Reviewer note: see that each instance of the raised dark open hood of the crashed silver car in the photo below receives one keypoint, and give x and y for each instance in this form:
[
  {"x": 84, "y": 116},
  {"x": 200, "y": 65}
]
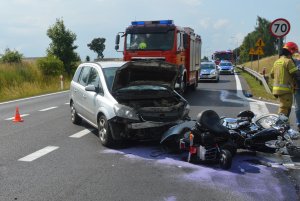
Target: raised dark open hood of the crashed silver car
[{"x": 145, "y": 73}]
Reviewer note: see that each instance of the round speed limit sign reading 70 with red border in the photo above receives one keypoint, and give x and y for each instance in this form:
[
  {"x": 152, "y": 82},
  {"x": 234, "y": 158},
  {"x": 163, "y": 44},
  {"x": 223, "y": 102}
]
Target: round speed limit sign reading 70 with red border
[{"x": 280, "y": 27}]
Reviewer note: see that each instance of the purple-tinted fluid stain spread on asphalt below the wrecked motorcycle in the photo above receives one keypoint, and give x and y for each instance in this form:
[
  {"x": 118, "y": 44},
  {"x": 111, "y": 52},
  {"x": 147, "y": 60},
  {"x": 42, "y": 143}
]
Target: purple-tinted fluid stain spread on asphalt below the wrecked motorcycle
[{"x": 248, "y": 175}]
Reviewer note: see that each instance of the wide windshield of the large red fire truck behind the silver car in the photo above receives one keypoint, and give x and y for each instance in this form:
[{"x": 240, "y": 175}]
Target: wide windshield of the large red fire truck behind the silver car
[{"x": 150, "y": 41}]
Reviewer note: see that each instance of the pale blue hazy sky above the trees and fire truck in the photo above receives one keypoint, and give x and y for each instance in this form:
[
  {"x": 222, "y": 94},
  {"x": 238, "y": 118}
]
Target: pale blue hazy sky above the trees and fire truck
[{"x": 222, "y": 24}]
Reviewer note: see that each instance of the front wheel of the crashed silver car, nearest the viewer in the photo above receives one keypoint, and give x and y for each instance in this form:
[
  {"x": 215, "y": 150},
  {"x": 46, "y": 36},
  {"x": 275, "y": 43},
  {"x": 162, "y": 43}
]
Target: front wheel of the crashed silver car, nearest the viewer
[{"x": 104, "y": 132}]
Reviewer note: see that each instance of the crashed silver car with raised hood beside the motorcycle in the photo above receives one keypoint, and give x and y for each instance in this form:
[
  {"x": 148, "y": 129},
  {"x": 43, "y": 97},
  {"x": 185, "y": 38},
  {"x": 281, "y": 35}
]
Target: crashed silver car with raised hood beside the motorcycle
[{"x": 127, "y": 100}]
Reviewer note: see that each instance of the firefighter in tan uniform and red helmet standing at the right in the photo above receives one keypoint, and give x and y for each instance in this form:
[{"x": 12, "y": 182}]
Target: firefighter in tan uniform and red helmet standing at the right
[{"x": 283, "y": 73}]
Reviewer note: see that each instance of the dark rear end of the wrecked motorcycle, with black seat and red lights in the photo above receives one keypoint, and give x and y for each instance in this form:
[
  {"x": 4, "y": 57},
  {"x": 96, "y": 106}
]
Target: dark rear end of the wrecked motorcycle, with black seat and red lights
[{"x": 205, "y": 139}]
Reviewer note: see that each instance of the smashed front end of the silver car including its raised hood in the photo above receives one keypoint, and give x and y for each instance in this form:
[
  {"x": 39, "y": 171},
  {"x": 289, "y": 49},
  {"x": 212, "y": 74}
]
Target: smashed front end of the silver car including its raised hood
[{"x": 147, "y": 105}]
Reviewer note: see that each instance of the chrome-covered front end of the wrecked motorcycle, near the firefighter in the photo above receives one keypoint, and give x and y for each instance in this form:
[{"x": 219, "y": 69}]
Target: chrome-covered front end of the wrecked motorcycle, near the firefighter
[{"x": 265, "y": 133}]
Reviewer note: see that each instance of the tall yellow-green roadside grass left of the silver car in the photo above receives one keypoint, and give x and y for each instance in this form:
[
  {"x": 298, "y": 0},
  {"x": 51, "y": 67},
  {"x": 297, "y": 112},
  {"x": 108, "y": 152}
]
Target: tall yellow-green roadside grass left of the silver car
[{"x": 25, "y": 80}]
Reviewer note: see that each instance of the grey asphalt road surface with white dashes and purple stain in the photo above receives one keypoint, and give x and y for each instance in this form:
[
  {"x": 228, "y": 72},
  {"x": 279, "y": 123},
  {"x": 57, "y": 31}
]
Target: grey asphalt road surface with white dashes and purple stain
[{"x": 48, "y": 158}]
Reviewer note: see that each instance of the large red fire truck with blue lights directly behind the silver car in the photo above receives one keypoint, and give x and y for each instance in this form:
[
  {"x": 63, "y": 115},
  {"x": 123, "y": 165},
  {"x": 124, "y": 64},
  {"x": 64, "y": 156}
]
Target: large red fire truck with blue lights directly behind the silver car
[{"x": 163, "y": 40}]
